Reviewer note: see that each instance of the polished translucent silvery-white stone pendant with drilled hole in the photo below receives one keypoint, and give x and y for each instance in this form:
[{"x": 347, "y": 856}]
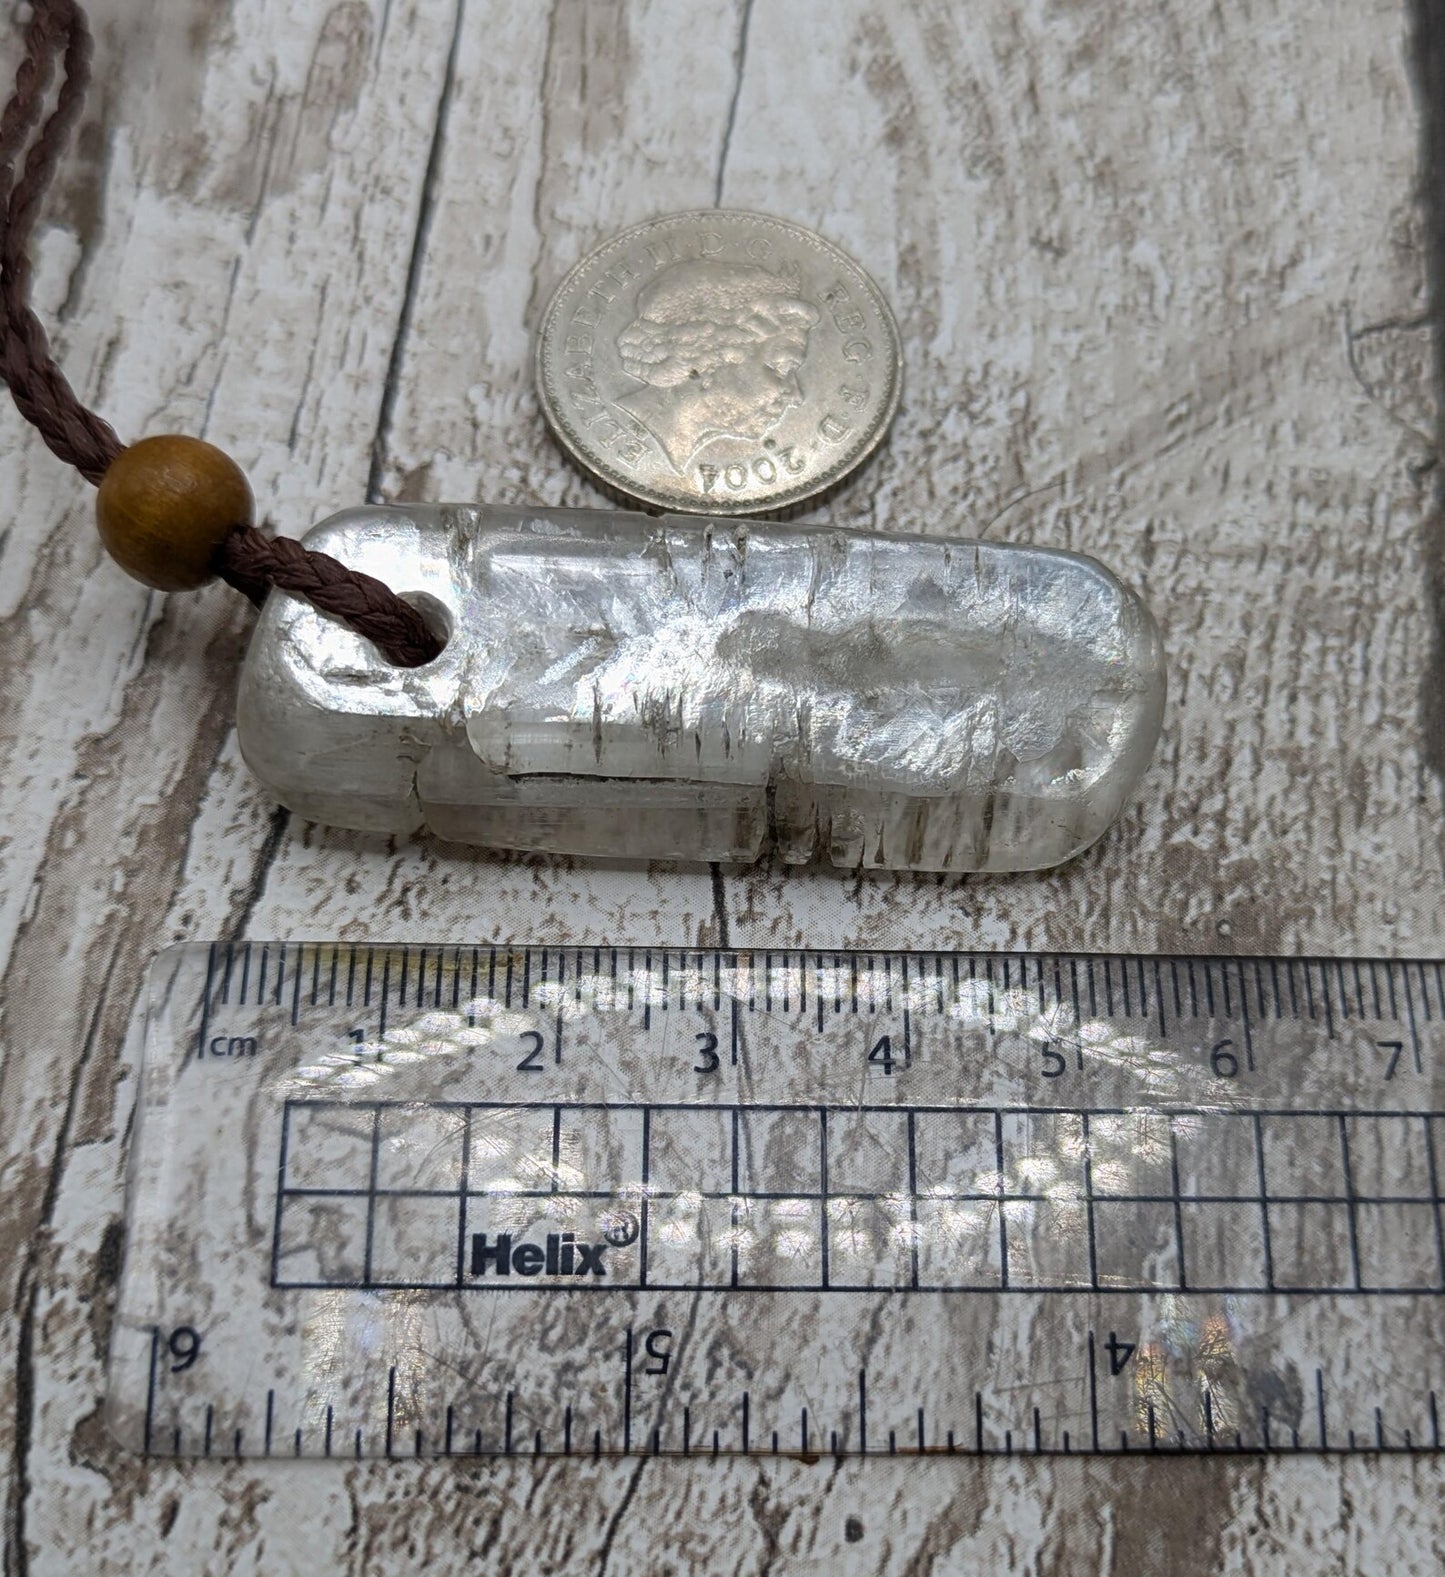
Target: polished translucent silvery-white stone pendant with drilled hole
[{"x": 625, "y": 687}]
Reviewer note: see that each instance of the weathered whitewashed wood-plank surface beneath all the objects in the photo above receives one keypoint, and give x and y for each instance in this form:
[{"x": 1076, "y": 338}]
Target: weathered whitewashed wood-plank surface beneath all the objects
[{"x": 1160, "y": 277}]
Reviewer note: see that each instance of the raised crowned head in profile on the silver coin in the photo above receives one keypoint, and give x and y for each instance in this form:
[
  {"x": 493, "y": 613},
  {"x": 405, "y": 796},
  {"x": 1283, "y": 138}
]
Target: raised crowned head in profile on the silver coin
[{"x": 715, "y": 349}]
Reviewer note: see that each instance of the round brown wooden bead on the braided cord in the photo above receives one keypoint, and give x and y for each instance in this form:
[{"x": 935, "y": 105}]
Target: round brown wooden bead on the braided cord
[{"x": 166, "y": 505}]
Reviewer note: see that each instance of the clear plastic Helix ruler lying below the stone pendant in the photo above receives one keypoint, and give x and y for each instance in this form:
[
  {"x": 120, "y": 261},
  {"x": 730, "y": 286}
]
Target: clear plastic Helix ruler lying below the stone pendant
[{"x": 395, "y": 1202}]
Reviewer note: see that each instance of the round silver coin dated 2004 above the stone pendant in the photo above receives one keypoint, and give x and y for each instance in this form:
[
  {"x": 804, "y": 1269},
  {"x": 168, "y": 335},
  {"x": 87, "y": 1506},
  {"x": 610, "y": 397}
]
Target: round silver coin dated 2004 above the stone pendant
[{"x": 719, "y": 363}]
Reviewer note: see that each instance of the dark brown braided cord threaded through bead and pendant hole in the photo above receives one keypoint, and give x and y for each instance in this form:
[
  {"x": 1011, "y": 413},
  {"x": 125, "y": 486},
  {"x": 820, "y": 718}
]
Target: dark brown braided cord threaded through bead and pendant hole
[{"x": 248, "y": 561}]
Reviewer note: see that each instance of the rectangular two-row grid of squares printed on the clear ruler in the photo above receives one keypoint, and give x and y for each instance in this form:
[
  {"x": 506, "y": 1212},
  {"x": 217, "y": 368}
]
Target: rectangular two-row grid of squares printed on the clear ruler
[{"x": 387, "y": 1195}]
